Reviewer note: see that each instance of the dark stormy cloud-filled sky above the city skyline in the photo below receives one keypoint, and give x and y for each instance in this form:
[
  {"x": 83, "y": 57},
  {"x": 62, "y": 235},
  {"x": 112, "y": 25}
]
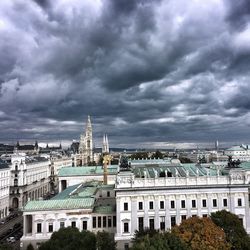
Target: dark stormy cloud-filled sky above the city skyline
[{"x": 149, "y": 73}]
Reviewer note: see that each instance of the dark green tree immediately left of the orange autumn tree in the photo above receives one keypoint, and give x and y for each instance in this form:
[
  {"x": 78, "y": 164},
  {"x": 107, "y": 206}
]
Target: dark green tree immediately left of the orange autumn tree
[{"x": 155, "y": 240}]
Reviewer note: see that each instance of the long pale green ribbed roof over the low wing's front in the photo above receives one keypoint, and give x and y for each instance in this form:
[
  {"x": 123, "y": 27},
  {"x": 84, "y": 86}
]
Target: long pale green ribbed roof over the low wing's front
[{"x": 80, "y": 203}]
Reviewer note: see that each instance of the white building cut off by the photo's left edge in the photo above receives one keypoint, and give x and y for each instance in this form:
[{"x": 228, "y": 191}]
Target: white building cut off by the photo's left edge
[{"x": 4, "y": 189}]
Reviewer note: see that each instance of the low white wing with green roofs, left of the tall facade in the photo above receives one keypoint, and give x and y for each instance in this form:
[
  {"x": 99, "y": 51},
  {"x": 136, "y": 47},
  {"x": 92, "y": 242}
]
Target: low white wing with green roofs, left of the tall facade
[{"x": 89, "y": 206}]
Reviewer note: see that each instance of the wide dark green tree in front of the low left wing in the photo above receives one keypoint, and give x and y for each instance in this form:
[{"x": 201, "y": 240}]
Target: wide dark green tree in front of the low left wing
[{"x": 70, "y": 239}]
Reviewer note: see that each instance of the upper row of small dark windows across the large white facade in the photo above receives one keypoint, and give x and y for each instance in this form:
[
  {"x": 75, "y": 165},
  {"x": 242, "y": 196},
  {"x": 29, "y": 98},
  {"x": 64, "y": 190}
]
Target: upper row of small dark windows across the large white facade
[{"x": 183, "y": 204}]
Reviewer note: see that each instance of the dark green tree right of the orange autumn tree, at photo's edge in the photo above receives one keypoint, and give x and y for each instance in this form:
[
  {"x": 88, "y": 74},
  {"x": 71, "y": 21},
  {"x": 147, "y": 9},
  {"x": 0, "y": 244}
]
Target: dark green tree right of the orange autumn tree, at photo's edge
[{"x": 236, "y": 235}]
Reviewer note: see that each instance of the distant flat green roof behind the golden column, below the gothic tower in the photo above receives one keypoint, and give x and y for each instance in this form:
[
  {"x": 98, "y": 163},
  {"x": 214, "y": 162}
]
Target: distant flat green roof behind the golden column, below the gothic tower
[{"x": 88, "y": 170}]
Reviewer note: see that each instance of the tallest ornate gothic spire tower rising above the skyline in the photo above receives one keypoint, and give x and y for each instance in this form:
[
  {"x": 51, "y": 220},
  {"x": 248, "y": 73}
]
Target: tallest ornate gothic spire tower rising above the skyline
[{"x": 86, "y": 144}]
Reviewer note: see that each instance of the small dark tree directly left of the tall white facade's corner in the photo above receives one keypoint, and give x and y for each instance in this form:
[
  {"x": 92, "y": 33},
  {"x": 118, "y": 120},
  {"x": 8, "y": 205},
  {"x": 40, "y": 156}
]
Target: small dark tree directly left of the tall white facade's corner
[{"x": 105, "y": 241}]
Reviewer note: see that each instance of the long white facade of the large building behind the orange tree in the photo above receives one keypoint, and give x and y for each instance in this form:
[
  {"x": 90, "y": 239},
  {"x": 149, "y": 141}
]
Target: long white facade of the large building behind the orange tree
[{"x": 162, "y": 202}]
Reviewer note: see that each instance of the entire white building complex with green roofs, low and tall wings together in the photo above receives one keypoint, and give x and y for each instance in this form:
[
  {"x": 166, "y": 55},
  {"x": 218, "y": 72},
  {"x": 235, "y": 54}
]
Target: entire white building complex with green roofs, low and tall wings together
[{"x": 147, "y": 194}]
